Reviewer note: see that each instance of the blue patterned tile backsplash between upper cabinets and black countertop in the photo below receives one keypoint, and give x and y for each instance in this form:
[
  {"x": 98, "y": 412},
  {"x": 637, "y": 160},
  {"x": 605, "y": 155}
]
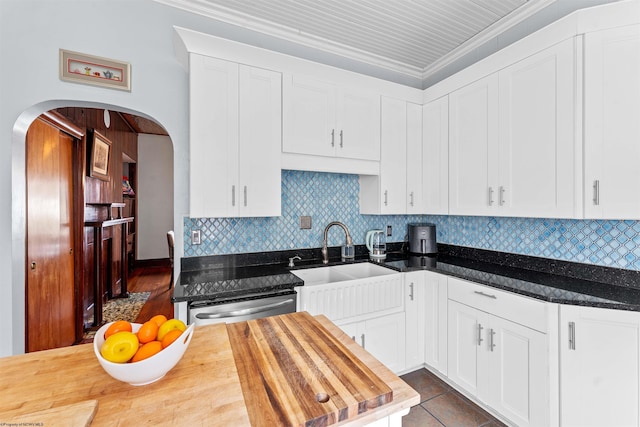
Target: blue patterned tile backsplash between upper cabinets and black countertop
[{"x": 334, "y": 197}]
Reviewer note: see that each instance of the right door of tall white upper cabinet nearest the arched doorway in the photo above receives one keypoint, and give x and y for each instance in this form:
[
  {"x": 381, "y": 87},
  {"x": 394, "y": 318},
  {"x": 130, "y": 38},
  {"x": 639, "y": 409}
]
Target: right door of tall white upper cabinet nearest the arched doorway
[{"x": 260, "y": 135}]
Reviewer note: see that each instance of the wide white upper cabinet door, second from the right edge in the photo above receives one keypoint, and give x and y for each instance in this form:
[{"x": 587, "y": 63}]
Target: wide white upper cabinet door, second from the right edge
[{"x": 537, "y": 137}]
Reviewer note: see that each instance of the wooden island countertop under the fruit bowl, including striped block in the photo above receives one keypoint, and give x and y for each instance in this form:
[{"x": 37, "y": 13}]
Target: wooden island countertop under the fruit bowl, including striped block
[{"x": 293, "y": 369}]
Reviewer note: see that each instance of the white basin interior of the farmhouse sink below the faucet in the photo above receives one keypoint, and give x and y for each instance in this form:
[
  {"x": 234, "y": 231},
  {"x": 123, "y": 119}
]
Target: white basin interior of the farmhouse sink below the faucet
[{"x": 340, "y": 273}]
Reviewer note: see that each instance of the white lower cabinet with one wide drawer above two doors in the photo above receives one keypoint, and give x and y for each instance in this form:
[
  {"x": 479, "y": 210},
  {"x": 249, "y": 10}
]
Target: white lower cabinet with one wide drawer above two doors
[{"x": 500, "y": 362}]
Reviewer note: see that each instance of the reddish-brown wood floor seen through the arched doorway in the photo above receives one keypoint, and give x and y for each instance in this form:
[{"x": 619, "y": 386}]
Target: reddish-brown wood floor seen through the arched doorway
[{"x": 156, "y": 281}]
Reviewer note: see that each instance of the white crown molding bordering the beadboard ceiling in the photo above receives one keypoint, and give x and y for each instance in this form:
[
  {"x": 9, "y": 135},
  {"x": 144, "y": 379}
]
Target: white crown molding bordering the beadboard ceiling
[{"x": 234, "y": 17}]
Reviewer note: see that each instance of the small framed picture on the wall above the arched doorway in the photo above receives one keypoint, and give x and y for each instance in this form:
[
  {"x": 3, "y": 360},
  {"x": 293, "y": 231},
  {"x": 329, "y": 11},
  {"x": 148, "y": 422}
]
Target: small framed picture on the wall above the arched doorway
[{"x": 93, "y": 70}]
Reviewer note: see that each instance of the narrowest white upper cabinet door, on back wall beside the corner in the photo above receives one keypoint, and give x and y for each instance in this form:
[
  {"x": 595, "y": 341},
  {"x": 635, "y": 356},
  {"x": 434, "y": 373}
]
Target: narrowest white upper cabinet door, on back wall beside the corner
[{"x": 414, "y": 159}]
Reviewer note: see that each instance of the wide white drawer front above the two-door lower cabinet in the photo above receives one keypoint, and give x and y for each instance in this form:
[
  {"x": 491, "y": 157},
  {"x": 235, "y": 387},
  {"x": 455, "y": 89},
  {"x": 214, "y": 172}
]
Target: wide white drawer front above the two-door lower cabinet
[{"x": 516, "y": 308}]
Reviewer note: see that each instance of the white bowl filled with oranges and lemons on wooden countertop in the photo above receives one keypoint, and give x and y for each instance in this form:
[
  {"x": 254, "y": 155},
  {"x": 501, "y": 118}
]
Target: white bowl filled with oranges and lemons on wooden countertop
[{"x": 138, "y": 355}]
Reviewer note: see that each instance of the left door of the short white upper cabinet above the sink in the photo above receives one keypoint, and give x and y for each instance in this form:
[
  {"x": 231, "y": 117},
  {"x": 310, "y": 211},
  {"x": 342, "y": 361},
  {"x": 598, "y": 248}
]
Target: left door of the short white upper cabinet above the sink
[{"x": 309, "y": 117}]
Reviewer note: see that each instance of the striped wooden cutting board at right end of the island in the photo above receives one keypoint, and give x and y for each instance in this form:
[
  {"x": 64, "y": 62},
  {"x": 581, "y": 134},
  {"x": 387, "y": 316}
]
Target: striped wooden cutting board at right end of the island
[{"x": 293, "y": 372}]
